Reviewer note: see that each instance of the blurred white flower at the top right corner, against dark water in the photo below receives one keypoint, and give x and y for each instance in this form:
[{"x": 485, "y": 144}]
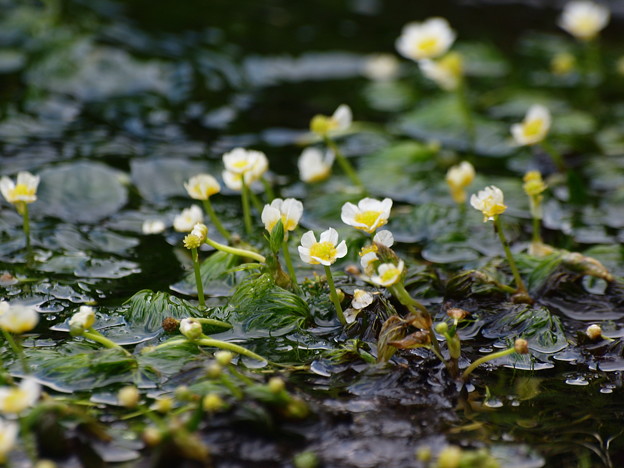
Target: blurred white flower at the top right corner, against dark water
[{"x": 584, "y": 19}]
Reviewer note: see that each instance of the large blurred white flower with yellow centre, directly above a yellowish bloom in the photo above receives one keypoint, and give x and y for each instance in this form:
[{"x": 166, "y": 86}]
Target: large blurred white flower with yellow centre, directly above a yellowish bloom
[{"x": 429, "y": 39}]
